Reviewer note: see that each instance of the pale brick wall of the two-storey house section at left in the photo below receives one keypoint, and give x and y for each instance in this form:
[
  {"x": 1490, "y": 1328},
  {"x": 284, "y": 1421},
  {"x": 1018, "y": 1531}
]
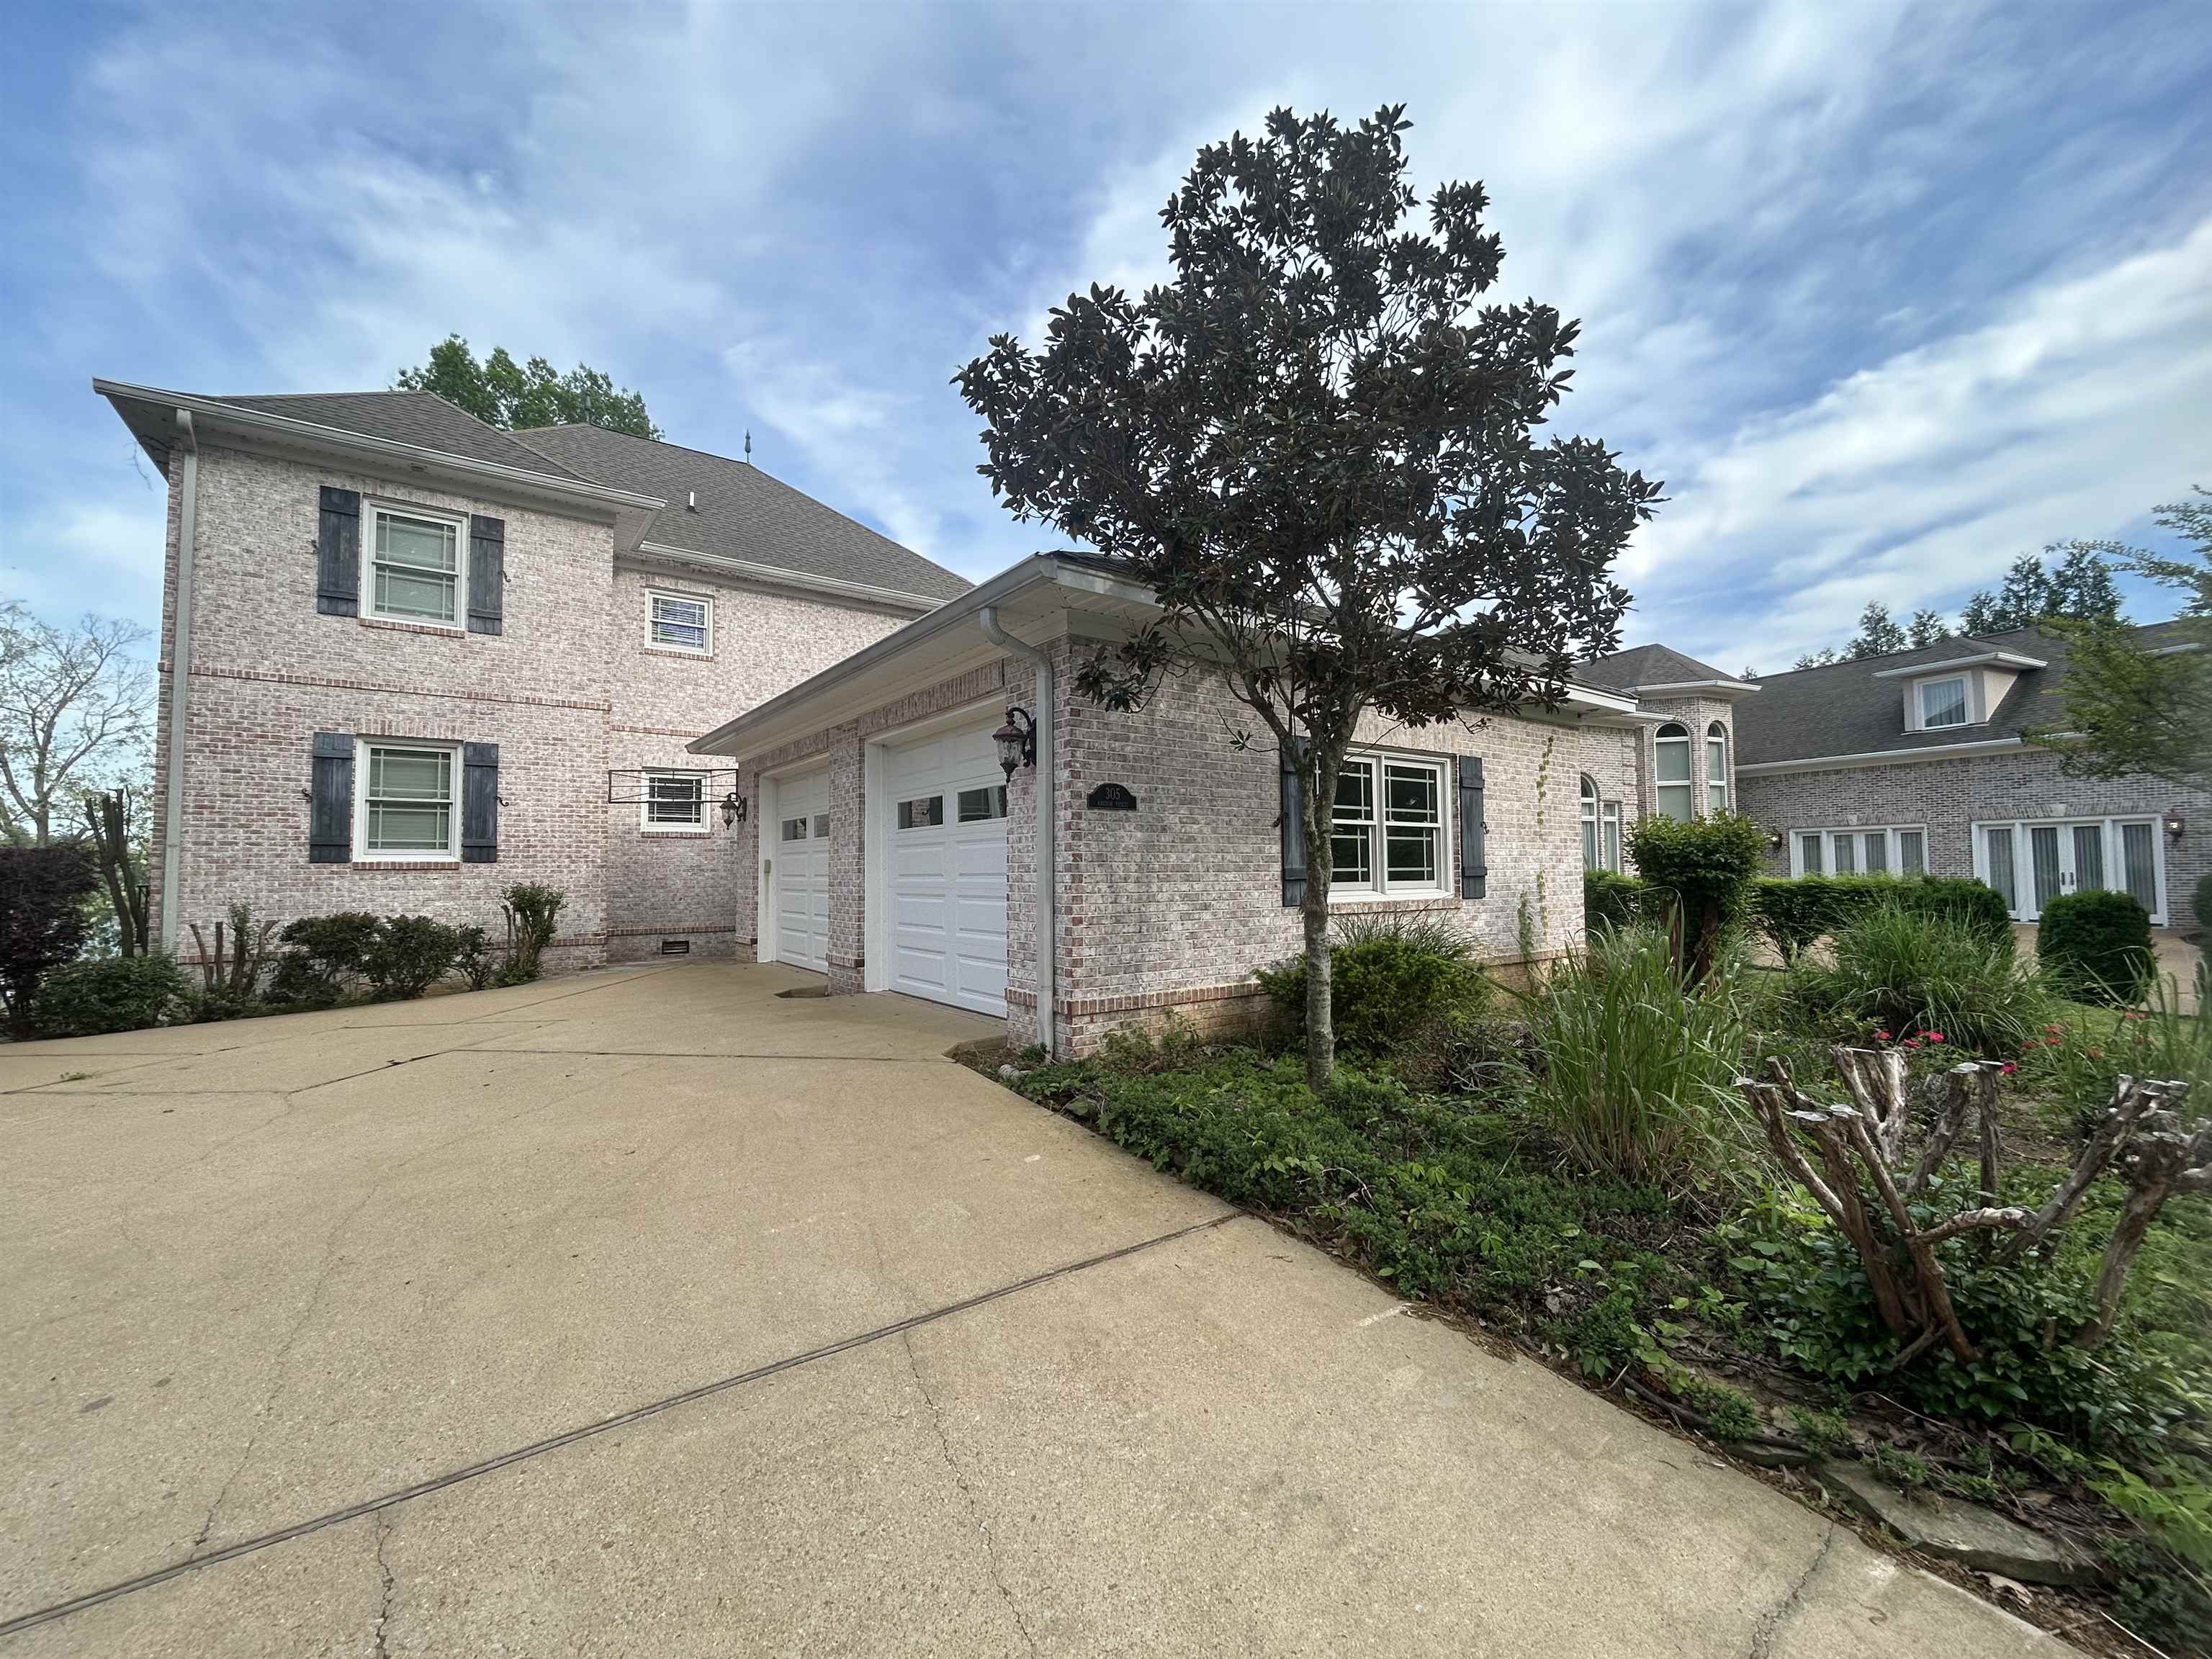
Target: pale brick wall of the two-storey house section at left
[{"x": 570, "y": 691}]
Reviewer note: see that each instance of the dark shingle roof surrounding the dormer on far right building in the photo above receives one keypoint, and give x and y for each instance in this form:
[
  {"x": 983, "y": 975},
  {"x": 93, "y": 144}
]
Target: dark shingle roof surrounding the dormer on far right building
[{"x": 1859, "y": 707}]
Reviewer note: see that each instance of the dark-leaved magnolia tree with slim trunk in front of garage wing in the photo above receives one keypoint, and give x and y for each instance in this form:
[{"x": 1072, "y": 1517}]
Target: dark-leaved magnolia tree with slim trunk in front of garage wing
[{"x": 1324, "y": 455}]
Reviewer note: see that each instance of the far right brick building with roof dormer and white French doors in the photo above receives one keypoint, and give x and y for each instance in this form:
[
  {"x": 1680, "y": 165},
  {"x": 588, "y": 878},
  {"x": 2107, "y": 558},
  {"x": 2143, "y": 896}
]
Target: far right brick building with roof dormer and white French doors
[{"x": 1921, "y": 762}]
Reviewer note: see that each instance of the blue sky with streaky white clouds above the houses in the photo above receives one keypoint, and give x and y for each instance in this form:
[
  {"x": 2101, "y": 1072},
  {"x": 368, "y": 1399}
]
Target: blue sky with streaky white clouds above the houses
[{"x": 1888, "y": 295}]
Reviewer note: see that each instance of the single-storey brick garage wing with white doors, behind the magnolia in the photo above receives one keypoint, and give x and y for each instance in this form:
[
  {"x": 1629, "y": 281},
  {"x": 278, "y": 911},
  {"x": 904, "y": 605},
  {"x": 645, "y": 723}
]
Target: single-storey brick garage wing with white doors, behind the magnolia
[{"x": 893, "y": 851}]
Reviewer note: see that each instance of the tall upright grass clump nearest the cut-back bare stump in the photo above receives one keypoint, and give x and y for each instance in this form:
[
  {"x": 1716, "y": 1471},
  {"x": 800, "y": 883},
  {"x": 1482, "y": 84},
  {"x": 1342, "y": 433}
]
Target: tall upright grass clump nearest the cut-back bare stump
[{"x": 1634, "y": 1065}]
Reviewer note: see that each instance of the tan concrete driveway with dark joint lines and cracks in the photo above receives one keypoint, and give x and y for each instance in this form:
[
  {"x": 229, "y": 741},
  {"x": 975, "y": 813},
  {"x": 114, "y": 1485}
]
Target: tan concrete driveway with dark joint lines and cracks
[{"x": 649, "y": 1313}]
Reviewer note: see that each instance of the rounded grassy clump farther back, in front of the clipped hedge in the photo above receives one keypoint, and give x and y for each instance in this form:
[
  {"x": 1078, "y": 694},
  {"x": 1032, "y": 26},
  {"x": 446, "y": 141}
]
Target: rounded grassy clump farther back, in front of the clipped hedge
[{"x": 1912, "y": 974}]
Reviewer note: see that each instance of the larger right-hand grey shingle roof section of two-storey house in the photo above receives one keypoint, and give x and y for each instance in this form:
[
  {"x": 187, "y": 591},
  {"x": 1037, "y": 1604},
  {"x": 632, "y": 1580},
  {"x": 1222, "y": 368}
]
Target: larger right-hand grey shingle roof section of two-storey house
[{"x": 731, "y": 510}]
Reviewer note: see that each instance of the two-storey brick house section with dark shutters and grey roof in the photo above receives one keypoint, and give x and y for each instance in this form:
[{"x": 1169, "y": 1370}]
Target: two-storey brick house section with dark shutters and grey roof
[{"x": 424, "y": 660}]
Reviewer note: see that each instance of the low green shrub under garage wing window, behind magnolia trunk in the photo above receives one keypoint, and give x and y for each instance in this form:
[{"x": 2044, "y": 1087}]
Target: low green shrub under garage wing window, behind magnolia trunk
[{"x": 1392, "y": 983}]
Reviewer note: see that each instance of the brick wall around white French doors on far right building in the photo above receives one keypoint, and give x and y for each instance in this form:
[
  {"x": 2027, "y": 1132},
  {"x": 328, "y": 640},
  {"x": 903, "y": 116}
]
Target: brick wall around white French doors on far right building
[{"x": 1950, "y": 797}]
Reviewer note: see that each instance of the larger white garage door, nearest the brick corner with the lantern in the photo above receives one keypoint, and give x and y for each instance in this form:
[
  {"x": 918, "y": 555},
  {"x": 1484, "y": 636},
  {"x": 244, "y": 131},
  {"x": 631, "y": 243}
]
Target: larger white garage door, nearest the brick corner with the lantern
[{"x": 946, "y": 837}]
